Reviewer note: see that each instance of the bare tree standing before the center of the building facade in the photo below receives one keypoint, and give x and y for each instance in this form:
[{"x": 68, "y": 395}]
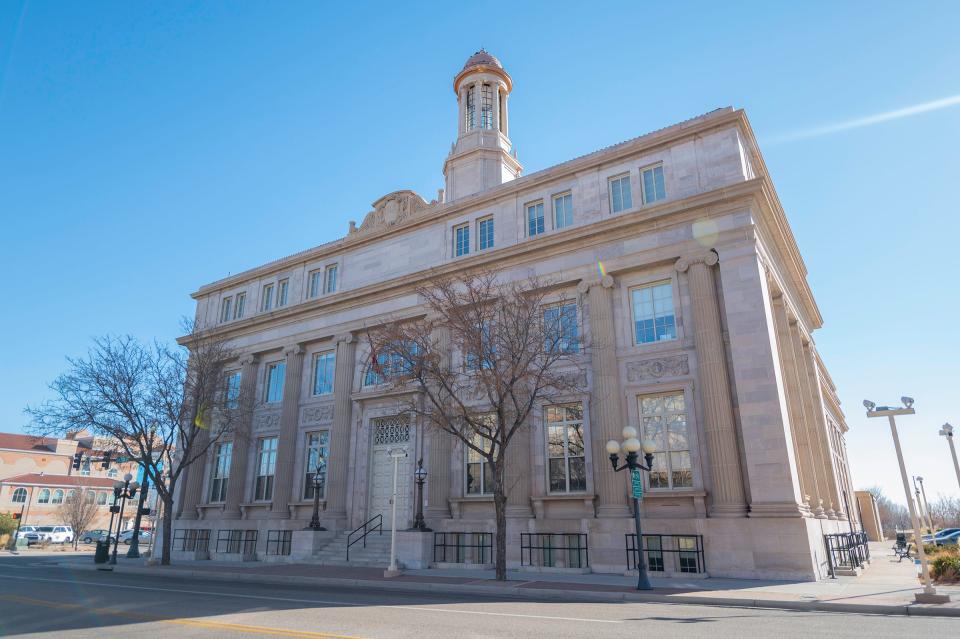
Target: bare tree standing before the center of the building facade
[{"x": 515, "y": 352}]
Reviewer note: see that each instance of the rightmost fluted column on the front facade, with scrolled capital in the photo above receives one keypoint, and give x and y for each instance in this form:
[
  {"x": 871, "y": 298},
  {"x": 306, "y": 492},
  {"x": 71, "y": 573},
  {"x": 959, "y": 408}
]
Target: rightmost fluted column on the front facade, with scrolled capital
[{"x": 719, "y": 426}]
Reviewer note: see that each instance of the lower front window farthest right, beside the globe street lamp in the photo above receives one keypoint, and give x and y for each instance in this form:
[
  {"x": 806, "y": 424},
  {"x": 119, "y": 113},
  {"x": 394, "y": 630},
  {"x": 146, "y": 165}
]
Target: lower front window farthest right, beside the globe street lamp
[{"x": 663, "y": 418}]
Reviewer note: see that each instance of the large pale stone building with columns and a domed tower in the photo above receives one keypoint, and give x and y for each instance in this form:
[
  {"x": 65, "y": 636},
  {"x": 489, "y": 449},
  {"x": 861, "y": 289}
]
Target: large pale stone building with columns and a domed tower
[{"x": 671, "y": 248}]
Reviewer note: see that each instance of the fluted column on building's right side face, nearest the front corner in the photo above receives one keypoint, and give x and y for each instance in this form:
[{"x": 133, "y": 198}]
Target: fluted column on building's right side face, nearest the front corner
[{"x": 791, "y": 385}]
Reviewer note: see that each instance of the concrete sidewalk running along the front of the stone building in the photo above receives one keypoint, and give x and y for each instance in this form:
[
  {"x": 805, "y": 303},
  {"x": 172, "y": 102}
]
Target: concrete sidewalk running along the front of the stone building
[{"x": 886, "y": 586}]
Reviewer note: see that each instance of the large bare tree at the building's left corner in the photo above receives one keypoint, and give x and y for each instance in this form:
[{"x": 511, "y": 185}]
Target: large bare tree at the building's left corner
[{"x": 161, "y": 406}]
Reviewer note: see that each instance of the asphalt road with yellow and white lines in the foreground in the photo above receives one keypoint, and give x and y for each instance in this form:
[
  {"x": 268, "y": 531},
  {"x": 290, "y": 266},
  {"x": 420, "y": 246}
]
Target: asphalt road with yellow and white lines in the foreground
[{"x": 38, "y": 599}]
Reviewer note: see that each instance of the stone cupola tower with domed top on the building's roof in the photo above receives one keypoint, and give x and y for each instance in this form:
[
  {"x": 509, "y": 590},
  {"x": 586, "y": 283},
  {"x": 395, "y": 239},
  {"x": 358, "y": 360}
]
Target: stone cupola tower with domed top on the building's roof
[{"x": 481, "y": 158}]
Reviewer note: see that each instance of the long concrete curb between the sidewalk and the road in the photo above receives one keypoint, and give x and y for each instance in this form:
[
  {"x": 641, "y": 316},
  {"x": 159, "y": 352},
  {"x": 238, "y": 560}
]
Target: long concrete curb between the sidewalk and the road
[{"x": 911, "y": 610}]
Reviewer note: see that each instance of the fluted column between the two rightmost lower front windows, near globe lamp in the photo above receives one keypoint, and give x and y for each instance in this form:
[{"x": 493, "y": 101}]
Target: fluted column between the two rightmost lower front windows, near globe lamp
[{"x": 606, "y": 415}]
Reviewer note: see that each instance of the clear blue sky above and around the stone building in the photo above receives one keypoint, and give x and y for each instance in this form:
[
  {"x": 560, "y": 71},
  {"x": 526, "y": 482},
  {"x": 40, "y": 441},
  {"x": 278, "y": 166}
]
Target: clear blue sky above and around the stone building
[{"x": 146, "y": 149}]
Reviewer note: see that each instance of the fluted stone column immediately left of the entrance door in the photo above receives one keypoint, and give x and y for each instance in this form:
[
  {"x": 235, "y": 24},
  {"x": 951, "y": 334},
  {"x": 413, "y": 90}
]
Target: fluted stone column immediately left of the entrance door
[{"x": 339, "y": 464}]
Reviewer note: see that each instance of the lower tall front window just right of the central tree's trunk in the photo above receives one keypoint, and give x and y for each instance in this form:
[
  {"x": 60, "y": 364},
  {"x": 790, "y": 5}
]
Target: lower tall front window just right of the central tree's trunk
[{"x": 565, "y": 448}]
